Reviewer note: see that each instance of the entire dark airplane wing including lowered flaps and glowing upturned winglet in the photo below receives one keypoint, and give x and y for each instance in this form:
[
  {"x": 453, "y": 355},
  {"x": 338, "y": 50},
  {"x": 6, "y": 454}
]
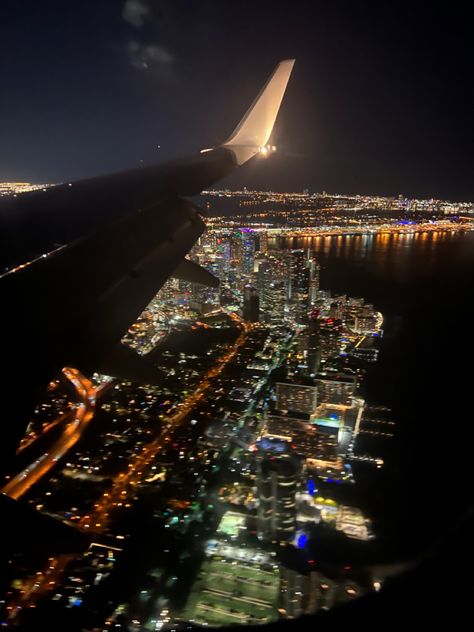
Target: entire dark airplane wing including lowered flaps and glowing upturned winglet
[{"x": 72, "y": 307}]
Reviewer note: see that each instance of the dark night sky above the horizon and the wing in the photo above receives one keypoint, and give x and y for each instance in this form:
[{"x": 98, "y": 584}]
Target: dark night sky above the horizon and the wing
[{"x": 380, "y": 100}]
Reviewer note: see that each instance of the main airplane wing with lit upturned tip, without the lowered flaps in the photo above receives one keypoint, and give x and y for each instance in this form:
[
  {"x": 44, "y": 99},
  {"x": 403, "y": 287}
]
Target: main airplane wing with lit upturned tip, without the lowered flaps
[{"x": 37, "y": 222}]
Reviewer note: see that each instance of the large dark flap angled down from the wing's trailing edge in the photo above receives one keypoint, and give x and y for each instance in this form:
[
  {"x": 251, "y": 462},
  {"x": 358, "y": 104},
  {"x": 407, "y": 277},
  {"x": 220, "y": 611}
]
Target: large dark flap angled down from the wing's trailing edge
[{"x": 90, "y": 292}]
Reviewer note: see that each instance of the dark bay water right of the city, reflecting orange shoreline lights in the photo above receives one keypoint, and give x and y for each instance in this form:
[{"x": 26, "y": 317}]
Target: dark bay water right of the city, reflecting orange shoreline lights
[{"x": 423, "y": 285}]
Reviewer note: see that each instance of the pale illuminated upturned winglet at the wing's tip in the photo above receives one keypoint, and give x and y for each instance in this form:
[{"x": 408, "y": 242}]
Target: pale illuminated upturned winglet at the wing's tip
[{"x": 253, "y": 132}]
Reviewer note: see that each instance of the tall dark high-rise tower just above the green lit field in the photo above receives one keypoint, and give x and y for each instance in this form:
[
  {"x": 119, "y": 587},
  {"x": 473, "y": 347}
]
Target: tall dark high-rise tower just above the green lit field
[{"x": 277, "y": 482}]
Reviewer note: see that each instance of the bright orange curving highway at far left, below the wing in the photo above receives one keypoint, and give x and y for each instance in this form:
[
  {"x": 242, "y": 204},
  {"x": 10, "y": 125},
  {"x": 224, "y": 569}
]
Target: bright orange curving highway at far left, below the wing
[{"x": 78, "y": 418}]
